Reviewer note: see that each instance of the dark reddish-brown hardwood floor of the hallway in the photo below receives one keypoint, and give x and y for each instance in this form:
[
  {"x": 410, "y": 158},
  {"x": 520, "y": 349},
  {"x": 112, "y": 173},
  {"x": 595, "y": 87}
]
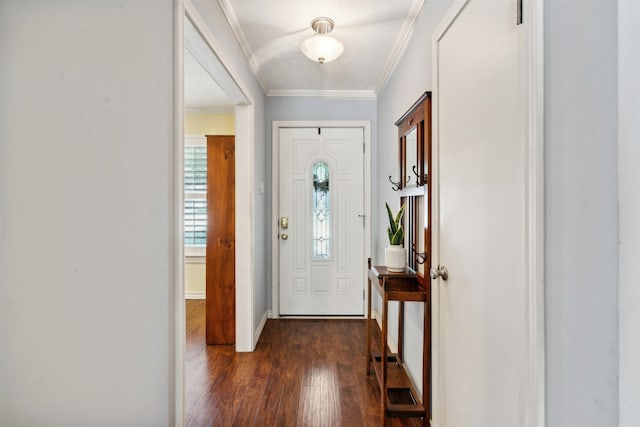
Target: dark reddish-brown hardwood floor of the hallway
[{"x": 302, "y": 373}]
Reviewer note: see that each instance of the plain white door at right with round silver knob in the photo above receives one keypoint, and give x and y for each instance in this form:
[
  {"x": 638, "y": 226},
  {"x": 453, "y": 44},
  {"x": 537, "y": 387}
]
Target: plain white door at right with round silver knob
[{"x": 482, "y": 348}]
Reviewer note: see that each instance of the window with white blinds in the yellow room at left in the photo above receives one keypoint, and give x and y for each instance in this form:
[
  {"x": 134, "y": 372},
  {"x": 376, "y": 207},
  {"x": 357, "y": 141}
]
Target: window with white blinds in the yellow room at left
[{"x": 195, "y": 193}]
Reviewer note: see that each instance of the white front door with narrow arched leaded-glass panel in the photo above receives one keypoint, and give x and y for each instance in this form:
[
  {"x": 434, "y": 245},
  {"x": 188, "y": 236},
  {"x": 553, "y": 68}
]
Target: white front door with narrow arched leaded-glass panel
[{"x": 321, "y": 222}]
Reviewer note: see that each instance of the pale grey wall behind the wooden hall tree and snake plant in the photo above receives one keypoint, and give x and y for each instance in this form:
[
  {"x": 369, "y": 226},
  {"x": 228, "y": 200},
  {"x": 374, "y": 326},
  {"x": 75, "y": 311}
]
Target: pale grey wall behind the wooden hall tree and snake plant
[{"x": 409, "y": 81}]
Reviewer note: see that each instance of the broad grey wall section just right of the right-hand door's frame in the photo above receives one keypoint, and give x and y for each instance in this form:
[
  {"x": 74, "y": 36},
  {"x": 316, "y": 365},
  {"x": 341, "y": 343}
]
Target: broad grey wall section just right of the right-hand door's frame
[{"x": 581, "y": 213}]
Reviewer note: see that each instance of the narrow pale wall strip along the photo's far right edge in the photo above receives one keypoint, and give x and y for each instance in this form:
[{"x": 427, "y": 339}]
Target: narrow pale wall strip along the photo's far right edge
[{"x": 629, "y": 205}]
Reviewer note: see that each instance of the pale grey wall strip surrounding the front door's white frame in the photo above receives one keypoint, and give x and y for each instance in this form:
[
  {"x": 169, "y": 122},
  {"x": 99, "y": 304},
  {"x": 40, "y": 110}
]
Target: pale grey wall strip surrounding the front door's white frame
[{"x": 281, "y": 108}]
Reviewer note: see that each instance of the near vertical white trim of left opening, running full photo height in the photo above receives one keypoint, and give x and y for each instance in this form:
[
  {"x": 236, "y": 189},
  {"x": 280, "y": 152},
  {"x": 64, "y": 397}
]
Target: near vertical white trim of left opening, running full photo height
[{"x": 179, "y": 323}]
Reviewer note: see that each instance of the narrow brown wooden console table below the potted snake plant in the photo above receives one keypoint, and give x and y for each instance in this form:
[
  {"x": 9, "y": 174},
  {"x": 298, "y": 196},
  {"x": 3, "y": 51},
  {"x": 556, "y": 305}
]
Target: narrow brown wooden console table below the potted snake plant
[{"x": 399, "y": 397}]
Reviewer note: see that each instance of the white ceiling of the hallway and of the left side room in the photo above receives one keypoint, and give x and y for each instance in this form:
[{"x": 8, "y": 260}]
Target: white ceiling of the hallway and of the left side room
[{"x": 373, "y": 32}]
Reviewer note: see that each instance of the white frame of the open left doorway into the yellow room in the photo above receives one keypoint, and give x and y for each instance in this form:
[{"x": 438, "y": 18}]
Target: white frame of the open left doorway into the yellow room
[{"x": 237, "y": 91}]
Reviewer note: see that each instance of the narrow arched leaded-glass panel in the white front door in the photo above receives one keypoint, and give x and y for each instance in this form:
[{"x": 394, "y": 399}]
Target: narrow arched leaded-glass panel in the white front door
[{"x": 321, "y": 211}]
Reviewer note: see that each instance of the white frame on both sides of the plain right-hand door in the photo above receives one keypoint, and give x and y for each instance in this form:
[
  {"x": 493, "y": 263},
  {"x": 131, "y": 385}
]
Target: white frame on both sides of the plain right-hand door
[{"x": 533, "y": 398}]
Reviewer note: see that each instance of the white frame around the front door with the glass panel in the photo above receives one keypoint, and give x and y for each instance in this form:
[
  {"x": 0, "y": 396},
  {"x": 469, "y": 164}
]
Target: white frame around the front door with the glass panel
[{"x": 275, "y": 198}]
